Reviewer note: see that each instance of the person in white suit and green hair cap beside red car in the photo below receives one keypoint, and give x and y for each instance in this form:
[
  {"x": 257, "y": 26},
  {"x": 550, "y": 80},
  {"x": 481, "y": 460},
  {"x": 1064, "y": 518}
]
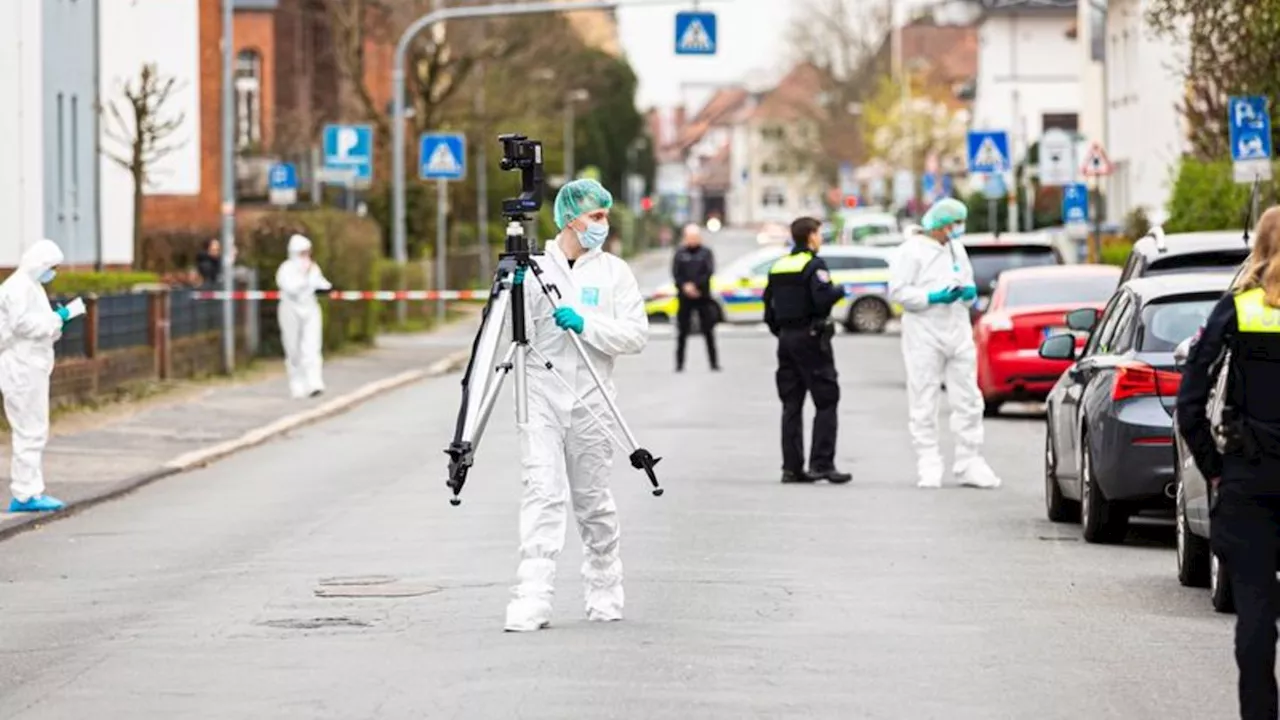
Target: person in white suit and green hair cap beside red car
[{"x": 932, "y": 280}]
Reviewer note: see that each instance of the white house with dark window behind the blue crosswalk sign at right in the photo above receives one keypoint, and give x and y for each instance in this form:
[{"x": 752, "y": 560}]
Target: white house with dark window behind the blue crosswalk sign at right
[{"x": 1028, "y": 80}]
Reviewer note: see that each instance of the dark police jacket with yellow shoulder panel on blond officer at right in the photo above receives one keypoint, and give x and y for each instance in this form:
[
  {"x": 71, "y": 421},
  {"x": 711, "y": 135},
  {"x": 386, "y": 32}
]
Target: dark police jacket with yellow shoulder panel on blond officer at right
[{"x": 1247, "y": 327}]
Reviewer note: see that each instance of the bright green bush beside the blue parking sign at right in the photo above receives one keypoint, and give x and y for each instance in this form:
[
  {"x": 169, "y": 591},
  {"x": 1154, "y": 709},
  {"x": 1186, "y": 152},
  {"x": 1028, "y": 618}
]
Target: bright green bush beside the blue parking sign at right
[{"x": 1206, "y": 198}]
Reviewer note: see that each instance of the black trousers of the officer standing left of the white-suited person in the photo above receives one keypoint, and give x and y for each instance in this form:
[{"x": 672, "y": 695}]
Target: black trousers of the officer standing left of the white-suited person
[{"x": 808, "y": 367}]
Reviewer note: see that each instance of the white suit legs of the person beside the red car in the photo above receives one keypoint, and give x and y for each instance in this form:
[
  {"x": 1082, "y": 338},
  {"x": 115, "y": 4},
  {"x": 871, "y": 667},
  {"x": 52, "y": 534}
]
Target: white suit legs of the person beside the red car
[{"x": 927, "y": 368}]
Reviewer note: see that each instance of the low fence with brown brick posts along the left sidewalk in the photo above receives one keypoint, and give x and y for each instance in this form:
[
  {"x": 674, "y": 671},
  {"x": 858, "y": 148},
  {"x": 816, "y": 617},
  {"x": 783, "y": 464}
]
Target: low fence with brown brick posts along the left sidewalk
[{"x": 147, "y": 336}]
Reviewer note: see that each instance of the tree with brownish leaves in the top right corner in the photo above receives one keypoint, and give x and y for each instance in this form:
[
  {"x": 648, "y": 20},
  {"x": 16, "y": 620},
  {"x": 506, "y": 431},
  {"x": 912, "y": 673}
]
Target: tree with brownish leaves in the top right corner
[{"x": 1229, "y": 48}]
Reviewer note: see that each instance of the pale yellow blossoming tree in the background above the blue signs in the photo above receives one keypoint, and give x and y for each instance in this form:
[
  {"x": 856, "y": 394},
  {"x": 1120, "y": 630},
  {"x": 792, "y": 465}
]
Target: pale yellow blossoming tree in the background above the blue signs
[{"x": 908, "y": 135}]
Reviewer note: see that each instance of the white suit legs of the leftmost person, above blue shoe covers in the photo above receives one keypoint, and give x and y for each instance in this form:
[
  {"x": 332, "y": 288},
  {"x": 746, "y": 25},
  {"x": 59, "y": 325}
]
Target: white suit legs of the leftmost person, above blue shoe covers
[{"x": 26, "y": 407}]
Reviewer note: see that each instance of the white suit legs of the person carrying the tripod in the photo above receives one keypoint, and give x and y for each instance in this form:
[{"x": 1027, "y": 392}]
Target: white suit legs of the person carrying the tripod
[{"x": 561, "y": 466}]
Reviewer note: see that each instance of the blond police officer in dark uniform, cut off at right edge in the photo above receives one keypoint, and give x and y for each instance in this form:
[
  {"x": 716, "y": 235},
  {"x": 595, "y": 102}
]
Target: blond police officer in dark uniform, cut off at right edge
[{"x": 1241, "y": 457}]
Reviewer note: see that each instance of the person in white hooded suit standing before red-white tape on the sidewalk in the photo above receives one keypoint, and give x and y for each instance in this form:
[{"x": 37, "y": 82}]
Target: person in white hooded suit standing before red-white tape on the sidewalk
[{"x": 301, "y": 325}]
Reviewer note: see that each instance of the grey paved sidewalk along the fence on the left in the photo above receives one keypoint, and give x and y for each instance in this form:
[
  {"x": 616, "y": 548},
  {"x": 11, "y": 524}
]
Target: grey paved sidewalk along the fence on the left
[{"x": 122, "y": 452}]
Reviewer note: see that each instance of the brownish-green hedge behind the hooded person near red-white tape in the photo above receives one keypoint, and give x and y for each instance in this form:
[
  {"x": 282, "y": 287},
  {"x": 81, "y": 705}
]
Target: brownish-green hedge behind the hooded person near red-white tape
[{"x": 346, "y": 247}]
